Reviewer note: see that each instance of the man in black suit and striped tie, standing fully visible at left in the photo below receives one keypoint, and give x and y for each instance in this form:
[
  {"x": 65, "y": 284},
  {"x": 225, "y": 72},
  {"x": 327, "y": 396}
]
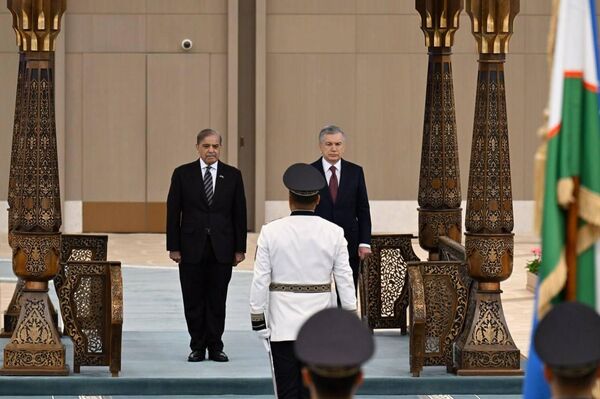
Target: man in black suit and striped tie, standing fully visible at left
[{"x": 206, "y": 236}]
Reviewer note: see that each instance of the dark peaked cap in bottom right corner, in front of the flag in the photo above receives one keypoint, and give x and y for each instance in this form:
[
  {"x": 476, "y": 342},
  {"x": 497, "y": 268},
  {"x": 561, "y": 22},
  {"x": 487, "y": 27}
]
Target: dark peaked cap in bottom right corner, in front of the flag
[{"x": 568, "y": 339}]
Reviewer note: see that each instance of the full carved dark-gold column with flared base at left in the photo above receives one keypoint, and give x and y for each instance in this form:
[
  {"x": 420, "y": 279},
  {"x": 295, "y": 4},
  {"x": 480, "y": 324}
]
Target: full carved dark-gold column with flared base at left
[{"x": 35, "y": 218}]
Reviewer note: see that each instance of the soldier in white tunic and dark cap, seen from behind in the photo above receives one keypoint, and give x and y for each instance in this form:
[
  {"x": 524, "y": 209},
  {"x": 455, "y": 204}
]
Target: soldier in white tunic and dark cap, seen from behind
[{"x": 296, "y": 257}]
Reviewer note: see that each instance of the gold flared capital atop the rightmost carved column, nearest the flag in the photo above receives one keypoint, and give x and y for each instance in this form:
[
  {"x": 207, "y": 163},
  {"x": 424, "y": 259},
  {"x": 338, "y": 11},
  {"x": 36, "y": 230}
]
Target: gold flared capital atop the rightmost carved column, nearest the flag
[{"x": 492, "y": 22}]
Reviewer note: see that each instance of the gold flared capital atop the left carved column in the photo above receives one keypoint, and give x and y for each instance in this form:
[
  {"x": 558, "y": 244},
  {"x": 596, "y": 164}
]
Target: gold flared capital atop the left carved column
[{"x": 36, "y": 22}]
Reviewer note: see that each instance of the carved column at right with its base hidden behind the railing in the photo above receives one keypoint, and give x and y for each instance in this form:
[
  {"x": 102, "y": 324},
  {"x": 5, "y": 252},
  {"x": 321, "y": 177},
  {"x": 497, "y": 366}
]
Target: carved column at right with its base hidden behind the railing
[{"x": 439, "y": 183}]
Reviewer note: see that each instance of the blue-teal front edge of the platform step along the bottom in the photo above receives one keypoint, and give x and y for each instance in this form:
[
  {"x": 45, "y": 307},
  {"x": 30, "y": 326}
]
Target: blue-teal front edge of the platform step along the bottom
[{"x": 246, "y": 386}]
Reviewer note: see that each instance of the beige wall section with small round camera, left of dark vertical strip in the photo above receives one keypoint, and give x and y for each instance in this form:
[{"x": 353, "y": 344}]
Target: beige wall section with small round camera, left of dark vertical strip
[{"x": 136, "y": 99}]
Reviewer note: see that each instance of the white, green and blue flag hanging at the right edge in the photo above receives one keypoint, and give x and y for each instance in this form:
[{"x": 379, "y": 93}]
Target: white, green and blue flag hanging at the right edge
[{"x": 573, "y": 150}]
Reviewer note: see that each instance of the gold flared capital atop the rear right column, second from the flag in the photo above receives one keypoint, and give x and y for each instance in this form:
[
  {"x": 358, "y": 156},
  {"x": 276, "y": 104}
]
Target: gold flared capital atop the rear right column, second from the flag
[{"x": 439, "y": 20}]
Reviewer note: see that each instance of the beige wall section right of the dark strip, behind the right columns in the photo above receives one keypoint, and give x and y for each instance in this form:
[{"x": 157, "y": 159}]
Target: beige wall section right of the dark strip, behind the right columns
[{"x": 362, "y": 65}]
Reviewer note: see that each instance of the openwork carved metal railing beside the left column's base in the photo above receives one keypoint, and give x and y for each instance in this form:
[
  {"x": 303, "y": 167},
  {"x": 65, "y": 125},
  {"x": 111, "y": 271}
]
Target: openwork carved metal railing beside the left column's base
[{"x": 91, "y": 301}]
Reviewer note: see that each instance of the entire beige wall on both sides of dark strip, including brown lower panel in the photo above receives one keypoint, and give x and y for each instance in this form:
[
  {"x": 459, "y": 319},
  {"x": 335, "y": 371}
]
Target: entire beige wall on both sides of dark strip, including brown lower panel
[{"x": 134, "y": 100}]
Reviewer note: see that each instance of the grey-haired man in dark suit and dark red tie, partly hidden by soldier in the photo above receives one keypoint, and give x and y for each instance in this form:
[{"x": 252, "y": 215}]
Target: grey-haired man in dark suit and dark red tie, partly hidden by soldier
[{"x": 344, "y": 201}]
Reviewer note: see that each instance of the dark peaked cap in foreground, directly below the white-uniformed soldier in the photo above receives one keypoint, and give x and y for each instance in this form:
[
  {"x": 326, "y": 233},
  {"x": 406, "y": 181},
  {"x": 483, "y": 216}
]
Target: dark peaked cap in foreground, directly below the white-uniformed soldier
[{"x": 334, "y": 343}]
